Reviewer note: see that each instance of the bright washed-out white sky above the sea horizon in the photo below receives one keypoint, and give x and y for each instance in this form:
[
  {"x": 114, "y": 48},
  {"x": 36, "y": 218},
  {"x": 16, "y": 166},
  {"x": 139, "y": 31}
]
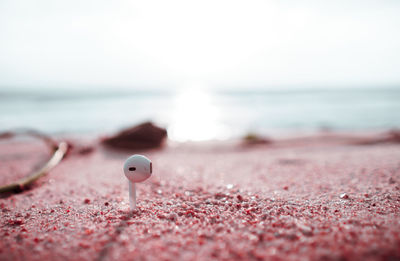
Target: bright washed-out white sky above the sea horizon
[{"x": 217, "y": 43}]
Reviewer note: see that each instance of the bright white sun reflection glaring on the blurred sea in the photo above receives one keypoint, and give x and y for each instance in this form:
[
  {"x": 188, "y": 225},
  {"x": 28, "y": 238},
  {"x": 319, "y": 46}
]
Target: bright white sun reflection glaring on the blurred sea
[{"x": 195, "y": 117}]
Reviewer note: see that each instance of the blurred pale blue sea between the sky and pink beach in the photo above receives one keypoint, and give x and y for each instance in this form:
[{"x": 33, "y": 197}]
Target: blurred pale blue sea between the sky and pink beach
[{"x": 201, "y": 114}]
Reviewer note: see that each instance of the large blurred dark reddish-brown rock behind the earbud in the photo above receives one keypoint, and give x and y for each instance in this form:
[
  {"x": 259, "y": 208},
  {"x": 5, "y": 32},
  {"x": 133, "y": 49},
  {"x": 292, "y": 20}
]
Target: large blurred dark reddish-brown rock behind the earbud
[{"x": 142, "y": 136}]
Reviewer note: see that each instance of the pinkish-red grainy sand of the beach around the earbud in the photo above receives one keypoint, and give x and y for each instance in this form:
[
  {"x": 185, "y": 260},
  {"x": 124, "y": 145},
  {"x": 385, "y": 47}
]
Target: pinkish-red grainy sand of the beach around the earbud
[{"x": 322, "y": 197}]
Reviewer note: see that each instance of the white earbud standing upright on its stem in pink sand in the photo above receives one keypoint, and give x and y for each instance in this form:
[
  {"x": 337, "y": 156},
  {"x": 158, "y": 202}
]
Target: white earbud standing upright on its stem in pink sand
[{"x": 137, "y": 168}]
